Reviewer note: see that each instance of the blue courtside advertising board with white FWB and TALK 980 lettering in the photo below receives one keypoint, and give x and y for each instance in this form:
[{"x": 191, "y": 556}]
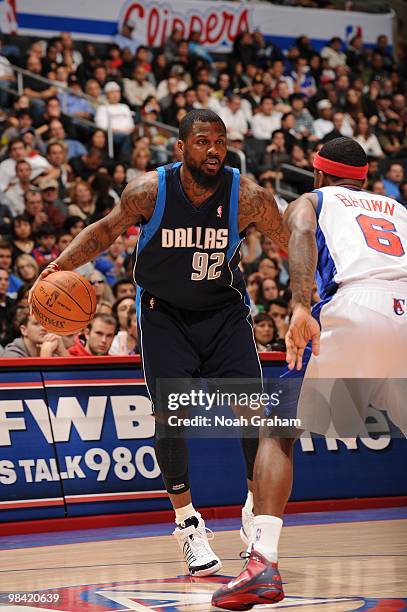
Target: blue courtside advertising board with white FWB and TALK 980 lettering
[{"x": 78, "y": 439}]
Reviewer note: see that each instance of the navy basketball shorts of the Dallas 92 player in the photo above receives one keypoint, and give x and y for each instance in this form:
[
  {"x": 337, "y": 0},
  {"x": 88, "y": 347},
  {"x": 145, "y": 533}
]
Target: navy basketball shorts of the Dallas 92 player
[{"x": 184, "y": 344}]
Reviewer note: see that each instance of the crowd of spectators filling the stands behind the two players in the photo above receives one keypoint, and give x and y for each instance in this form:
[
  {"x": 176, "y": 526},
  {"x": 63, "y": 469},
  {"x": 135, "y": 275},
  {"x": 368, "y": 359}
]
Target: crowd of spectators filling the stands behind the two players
[{"x": 279, "y": 108}]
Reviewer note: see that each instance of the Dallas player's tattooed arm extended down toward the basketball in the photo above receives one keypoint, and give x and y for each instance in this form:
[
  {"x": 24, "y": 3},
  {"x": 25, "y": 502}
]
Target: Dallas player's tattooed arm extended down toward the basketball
[{"x": 136, "y": 204}]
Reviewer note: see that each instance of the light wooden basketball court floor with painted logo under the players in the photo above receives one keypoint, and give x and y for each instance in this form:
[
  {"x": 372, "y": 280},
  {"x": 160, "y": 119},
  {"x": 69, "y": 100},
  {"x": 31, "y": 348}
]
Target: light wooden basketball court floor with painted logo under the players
[{"x": 329, "y": 561}]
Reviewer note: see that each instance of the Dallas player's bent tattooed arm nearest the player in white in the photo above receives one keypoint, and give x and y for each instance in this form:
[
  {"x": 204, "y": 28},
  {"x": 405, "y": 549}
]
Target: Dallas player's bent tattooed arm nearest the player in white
[{"x": 259, "y": 207}]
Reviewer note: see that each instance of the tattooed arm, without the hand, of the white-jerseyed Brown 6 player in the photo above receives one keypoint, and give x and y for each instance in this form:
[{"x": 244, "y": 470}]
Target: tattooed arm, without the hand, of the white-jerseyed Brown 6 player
[{"x": 301, "y": 220}]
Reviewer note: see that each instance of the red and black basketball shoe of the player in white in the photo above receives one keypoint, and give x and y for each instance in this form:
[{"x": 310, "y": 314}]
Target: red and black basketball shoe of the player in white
[{"x": 258, "y": 583}]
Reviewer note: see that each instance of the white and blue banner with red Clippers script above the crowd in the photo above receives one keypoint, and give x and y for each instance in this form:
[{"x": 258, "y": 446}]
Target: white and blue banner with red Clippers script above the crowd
[{"x": 218, "y": 22}]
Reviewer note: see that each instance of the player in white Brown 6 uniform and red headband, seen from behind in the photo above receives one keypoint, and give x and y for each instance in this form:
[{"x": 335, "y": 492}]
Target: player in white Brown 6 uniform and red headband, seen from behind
[{"x": 355, "y": 244}]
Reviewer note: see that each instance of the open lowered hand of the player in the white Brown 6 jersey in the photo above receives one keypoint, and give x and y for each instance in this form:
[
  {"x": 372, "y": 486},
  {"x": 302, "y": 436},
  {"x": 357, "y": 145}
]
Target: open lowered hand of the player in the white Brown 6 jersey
[{"x": 303, "y": 328}]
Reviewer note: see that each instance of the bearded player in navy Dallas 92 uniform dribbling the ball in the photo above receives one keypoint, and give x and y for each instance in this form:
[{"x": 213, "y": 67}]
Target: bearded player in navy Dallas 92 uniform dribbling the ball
[{"x": 193, "y": 310}]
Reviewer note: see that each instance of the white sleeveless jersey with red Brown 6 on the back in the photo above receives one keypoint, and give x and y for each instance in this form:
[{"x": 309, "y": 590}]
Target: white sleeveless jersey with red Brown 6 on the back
[{"x": 360, "y": 235}]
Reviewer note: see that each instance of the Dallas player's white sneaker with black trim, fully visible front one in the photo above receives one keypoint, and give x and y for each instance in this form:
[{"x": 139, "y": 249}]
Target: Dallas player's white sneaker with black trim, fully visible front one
[{"x": 193, "y": 540}]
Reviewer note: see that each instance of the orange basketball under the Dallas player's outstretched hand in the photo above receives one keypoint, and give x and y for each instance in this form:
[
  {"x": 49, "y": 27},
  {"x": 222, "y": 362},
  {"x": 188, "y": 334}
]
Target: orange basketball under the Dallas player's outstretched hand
[{"x": 63, "y": 302}]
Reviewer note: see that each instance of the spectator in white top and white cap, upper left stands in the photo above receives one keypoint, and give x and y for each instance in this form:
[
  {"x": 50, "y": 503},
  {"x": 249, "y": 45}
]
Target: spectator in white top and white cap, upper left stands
[{"x": 114, "y": 114}]
